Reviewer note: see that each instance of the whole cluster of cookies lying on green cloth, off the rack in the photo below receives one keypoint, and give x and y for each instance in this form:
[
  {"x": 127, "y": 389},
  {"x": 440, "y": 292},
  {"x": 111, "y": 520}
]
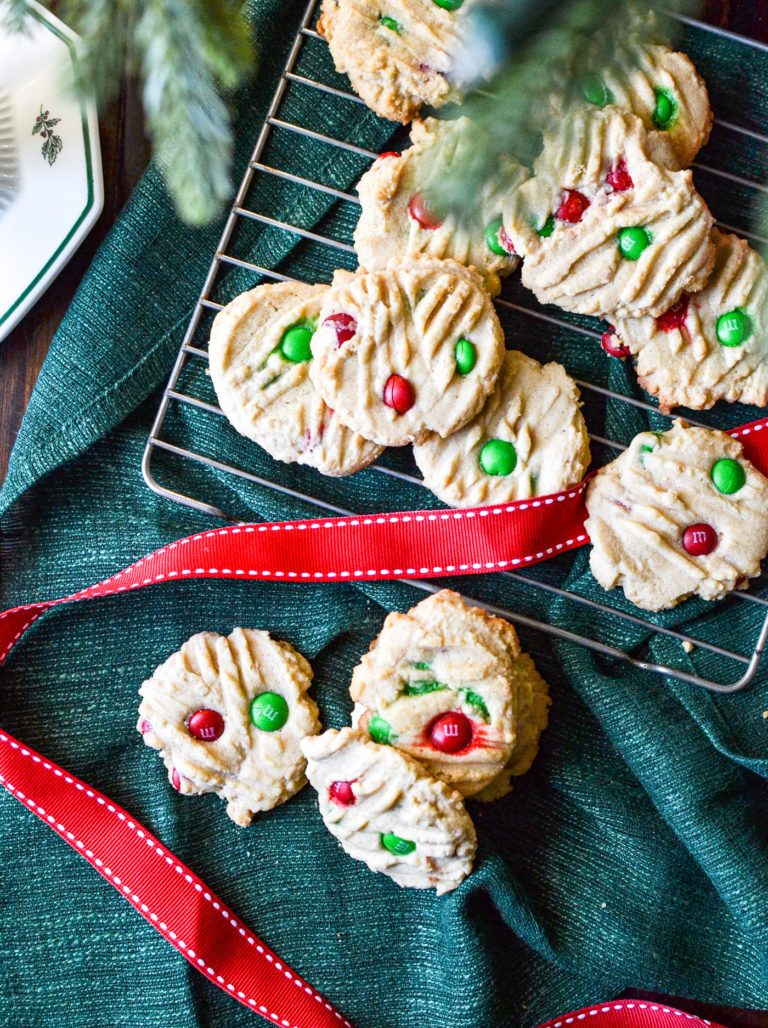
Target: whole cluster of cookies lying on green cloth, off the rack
[{"x": 447, "y": 708}]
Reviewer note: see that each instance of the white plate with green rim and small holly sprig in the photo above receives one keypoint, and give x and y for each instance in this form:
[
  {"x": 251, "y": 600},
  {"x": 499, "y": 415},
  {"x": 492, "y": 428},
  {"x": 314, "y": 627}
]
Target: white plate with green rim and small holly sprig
[{"x": 56, "y": 196}]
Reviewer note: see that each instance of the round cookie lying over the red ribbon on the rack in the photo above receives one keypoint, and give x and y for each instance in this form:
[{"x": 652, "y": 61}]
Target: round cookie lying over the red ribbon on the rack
[{"x": 680, "y": 513}]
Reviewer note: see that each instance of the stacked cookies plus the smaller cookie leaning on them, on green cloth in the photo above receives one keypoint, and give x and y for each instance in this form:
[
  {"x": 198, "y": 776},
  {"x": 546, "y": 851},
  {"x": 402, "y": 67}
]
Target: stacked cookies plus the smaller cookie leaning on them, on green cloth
[{"x": 447, "y": 708}]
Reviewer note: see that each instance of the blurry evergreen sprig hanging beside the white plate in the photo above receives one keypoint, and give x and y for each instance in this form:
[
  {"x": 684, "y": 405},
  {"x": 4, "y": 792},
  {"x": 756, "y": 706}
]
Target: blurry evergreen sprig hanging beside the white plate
[{"x": 187, "y": 54}]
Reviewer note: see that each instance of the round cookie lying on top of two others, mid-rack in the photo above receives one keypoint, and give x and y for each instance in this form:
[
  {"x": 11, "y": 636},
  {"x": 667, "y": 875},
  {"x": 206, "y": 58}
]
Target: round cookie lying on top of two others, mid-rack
[{"x": 386, "y": 350}]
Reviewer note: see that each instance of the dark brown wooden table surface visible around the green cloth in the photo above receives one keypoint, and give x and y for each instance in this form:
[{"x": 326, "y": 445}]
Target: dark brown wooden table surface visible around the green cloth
[{"x": 125, "y": 154}]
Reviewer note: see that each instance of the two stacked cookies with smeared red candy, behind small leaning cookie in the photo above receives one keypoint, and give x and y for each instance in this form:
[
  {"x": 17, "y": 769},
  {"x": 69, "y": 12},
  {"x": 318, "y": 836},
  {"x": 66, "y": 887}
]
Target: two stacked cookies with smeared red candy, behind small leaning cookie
[{"x": 448, "y": 684}]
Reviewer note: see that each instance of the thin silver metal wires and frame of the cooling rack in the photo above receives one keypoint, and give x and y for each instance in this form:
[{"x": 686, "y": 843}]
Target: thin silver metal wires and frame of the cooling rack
[{"x": 737, "y": 669}]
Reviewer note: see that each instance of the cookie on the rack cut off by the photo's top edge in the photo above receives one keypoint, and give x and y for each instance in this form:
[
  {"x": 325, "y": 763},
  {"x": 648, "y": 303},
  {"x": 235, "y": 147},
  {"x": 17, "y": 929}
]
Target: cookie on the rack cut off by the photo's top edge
[{"x": 398, "y": 55}]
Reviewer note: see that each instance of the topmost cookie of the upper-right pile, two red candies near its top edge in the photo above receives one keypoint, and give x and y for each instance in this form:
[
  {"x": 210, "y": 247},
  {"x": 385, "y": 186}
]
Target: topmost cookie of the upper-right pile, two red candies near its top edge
[{"x": 602, "y": 229}]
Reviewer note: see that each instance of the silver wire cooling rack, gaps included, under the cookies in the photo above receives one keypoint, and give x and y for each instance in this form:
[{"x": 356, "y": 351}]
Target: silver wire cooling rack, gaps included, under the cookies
[{"x": 691, "y": 653}]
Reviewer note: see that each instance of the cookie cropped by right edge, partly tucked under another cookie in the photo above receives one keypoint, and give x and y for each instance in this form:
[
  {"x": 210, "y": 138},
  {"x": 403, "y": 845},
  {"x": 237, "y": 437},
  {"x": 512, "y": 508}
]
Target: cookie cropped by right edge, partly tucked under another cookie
[{"x": 713, "y": 345}]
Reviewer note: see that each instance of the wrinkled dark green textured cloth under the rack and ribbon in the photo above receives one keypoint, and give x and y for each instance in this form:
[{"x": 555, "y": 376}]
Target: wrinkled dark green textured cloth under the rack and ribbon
[{"x": 634, "y": 855}]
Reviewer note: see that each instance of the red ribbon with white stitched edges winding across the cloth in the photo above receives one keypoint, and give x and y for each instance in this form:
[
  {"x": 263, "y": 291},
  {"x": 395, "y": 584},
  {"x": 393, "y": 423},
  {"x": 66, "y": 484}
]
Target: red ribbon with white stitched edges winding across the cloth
[{"x": 411, "y": 544}]
